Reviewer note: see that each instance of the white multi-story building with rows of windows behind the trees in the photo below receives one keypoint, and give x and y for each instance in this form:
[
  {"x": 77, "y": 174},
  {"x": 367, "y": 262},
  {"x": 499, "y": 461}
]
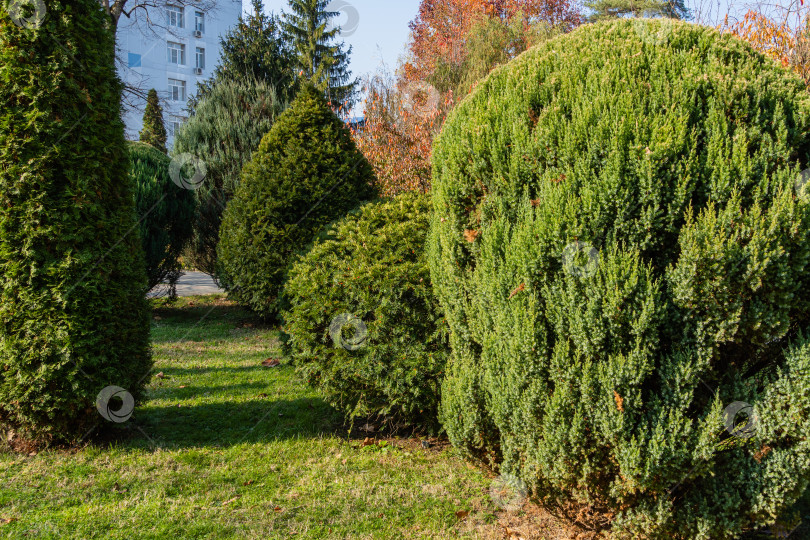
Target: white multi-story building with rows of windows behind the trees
[{"x": 171, "y": 54}]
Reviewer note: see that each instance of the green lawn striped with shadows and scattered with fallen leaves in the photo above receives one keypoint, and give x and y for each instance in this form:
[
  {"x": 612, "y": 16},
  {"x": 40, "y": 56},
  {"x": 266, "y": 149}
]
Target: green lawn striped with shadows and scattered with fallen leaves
[{"x": 227, "y": 448}]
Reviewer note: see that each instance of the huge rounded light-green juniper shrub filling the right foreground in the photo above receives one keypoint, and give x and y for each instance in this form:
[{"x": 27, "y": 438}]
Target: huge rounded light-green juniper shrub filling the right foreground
[{"x": 620, "y": 245}]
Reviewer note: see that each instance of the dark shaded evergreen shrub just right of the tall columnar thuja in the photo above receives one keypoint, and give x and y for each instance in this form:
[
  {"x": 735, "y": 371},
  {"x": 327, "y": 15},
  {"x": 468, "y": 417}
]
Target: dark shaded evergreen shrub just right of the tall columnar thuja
[{"x": 165, "y": 213}]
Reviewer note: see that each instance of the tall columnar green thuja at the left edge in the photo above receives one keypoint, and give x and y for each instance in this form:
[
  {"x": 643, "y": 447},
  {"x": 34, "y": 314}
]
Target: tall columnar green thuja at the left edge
[{"x": 73, "y": 315}]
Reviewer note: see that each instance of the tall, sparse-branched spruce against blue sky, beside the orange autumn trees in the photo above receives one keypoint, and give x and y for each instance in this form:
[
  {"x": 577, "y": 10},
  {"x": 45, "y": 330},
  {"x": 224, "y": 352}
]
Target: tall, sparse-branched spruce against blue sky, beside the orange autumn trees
[{"x": 319, "y": 58}]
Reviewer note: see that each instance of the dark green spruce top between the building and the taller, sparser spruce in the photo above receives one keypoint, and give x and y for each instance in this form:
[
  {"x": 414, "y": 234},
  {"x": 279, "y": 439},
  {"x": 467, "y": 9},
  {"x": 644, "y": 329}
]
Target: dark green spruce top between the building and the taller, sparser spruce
[{"x": 254, "y": 50}]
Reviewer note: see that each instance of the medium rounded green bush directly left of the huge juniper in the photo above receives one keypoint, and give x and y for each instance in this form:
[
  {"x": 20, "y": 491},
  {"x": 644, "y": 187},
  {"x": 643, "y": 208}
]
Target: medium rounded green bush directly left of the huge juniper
[{"x": 363, "y": 325}]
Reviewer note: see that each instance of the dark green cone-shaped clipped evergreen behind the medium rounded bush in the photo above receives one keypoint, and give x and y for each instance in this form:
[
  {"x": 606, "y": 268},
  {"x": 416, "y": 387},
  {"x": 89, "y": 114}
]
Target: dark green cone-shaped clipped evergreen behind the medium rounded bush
[{"x": 306, "y": 173}]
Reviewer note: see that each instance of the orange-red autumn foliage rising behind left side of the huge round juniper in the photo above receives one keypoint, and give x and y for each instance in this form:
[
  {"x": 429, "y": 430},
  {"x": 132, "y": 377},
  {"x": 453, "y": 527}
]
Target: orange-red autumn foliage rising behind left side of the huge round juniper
[{"x": 453, "y": 44}]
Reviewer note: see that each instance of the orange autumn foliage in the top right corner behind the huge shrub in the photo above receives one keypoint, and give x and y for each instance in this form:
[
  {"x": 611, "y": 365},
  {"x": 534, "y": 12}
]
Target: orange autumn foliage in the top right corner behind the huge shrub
[{"x": 783, "y": 34}]
